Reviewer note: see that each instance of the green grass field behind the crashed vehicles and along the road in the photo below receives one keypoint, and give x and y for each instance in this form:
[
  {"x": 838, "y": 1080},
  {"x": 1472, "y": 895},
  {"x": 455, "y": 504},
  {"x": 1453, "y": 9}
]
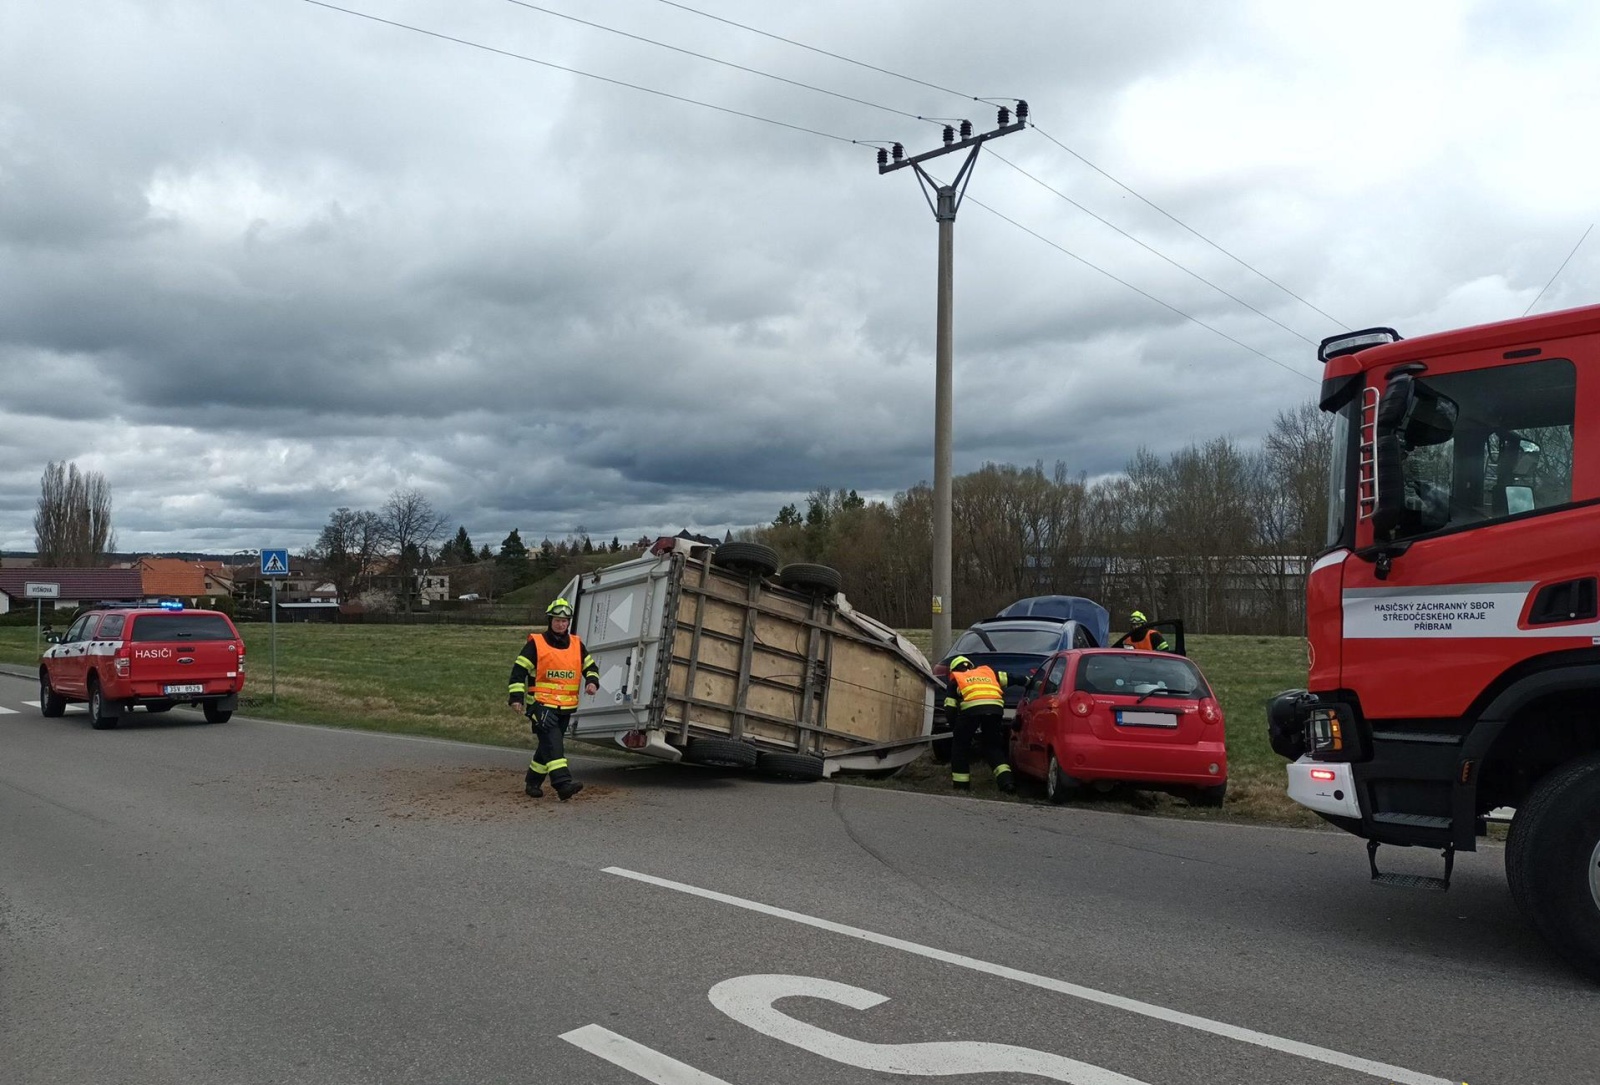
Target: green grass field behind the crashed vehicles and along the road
[{"x": 450, "y": 683}]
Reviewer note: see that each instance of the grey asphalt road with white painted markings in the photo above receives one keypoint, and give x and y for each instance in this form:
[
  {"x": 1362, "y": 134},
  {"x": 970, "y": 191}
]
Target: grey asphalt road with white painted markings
[{"x": 263, "y": 902}]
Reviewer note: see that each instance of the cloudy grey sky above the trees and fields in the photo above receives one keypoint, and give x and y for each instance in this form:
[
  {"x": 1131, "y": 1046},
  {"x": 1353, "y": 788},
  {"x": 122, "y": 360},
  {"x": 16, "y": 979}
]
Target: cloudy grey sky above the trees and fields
[{"x": 265, "y": 258}]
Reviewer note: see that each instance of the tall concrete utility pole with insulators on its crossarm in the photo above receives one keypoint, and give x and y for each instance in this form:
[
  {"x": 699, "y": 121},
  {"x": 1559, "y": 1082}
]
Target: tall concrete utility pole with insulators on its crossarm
[{"x": 945, "y": 207}]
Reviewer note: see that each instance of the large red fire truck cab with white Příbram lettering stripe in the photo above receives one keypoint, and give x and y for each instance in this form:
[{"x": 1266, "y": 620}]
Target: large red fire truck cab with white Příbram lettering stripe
[{"x": 1455, "y": 639}]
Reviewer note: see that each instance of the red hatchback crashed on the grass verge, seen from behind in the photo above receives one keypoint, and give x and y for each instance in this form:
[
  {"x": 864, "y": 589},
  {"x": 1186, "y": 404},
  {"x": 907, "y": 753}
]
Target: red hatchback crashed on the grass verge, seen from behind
[{"x": 1105, "y": 716}]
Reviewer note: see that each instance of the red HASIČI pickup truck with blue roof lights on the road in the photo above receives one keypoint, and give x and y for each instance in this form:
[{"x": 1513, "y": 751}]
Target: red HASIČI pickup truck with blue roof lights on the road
[{"x": 118, "y": 659}]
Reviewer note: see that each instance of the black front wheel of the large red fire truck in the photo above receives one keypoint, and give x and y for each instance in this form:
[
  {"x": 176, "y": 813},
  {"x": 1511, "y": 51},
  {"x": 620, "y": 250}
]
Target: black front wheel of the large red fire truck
[{"x": 1553, "y": 862}]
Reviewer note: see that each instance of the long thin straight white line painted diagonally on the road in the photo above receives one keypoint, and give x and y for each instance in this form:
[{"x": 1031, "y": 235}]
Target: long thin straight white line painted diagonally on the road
[{"x": 1374, "y": 1068}]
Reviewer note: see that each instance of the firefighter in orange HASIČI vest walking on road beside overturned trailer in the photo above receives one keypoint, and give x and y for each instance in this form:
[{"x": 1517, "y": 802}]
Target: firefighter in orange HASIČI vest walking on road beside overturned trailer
[{"x": 548, "y": 676}]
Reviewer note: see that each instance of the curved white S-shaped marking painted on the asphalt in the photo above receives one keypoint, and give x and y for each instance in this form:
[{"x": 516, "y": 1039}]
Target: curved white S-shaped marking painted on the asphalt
[{"x": 750, "y": 1001}]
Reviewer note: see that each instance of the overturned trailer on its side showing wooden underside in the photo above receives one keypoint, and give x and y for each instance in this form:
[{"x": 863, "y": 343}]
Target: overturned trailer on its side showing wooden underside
[{"x": 714, "y": 655}]
